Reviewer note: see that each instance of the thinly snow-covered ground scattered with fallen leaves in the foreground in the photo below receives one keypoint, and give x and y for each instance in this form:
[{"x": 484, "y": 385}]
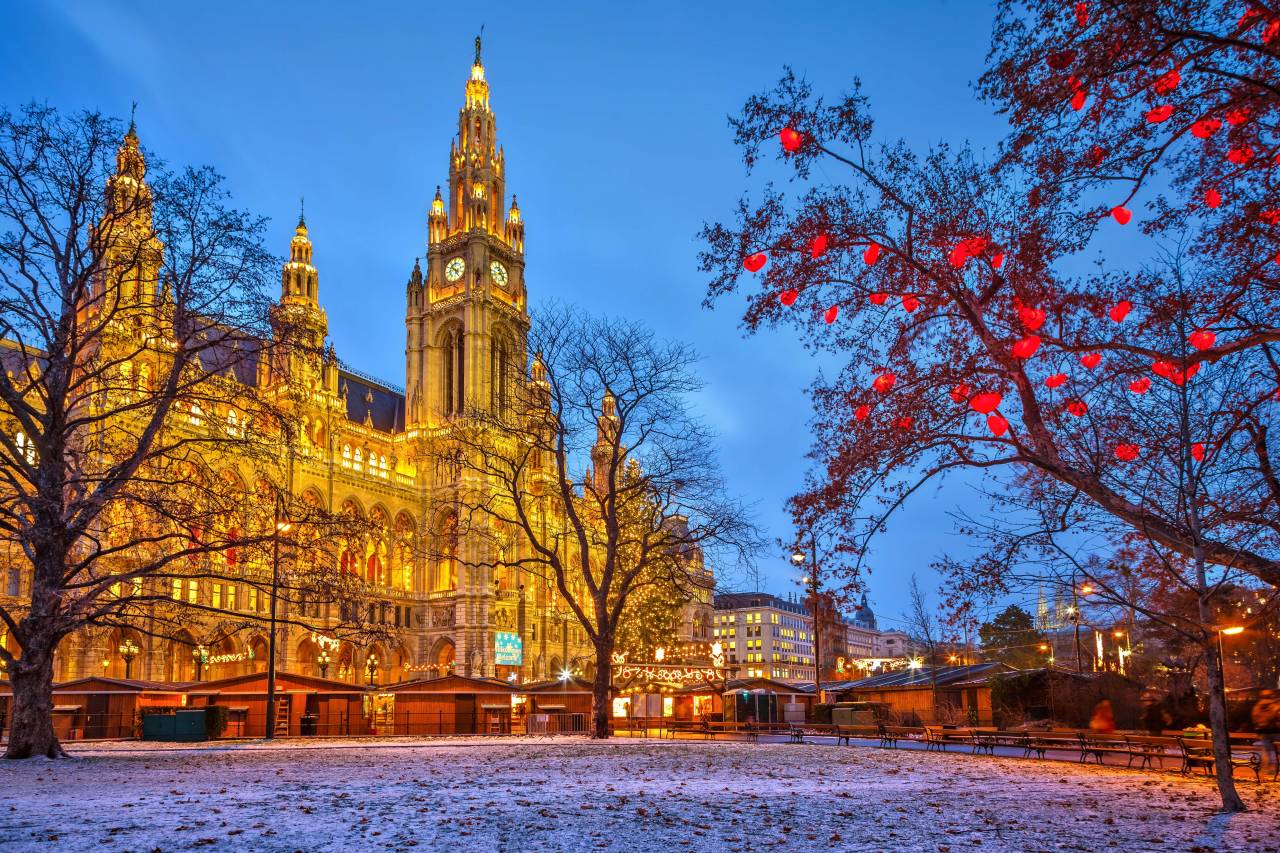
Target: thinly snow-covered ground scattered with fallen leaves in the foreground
[{"x": 573, "y": 795}]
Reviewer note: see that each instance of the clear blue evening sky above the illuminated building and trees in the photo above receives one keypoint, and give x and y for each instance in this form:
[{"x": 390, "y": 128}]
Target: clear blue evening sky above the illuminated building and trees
[{"x": 614, "y": 121}]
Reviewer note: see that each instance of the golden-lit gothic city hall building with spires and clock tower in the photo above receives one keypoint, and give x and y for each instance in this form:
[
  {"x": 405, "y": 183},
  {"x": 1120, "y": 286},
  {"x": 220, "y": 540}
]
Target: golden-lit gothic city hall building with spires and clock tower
[{"x": 441, "y": 601}]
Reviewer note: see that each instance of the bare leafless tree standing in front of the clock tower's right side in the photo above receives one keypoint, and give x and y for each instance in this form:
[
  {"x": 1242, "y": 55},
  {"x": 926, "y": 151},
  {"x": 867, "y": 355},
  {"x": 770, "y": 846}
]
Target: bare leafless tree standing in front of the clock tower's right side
[{"x": 606, "y": 477}]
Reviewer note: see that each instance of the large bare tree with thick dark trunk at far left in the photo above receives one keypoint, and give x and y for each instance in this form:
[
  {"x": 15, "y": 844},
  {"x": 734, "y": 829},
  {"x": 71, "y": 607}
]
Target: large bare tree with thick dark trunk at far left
[{"x": 139, "y": 454}]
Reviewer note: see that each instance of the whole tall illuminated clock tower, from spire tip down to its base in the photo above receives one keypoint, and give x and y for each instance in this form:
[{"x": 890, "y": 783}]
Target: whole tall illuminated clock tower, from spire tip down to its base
[{"x": 467, "y": 336}]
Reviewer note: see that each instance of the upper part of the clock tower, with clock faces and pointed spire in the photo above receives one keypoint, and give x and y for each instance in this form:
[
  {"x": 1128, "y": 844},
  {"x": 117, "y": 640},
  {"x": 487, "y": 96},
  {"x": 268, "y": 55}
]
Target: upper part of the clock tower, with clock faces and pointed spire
[{"x": 467, "y": 312}]
